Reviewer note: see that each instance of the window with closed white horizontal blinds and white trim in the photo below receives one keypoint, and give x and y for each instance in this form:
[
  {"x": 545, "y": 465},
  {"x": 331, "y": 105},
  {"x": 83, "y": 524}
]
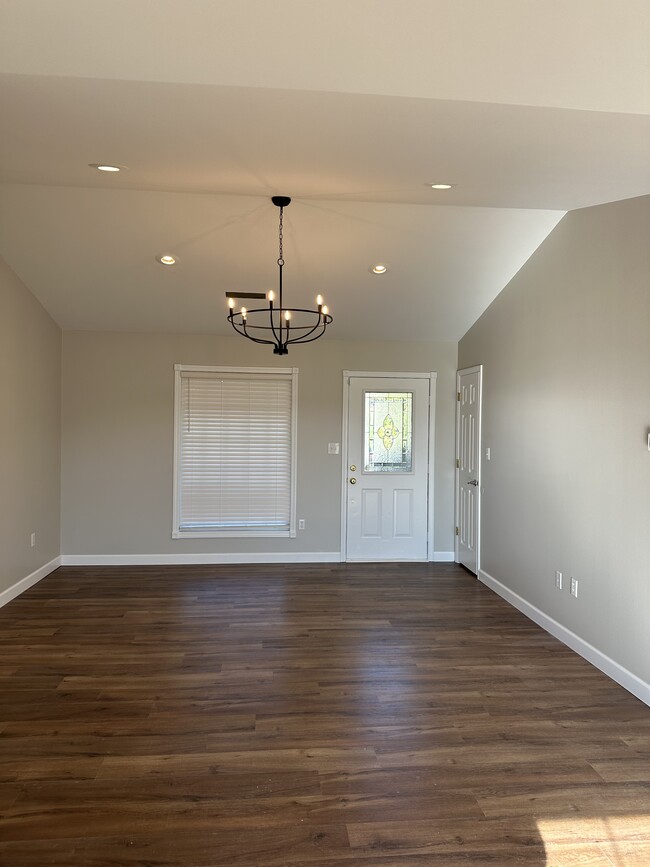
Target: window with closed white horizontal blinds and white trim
[{"x": 234, "y": 451}]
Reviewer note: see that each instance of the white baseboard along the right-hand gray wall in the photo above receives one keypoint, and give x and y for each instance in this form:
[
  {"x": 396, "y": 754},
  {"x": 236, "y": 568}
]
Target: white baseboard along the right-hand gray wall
[{"x": 608, "y": 666}]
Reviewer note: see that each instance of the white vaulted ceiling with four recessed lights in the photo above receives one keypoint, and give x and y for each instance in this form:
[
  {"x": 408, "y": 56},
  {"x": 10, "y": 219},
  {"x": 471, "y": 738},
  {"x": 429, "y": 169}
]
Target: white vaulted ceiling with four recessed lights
[{"x": 350, "y": 108}]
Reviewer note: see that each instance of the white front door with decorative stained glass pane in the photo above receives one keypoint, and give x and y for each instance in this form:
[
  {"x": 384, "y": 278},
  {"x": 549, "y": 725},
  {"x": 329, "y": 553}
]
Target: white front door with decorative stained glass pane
[{"x": 387, "y": 468}]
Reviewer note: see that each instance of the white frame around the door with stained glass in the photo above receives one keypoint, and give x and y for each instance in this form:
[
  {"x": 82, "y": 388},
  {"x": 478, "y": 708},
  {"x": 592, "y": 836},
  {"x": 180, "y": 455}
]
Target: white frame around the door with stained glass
[{"x": 432, "y": 377}]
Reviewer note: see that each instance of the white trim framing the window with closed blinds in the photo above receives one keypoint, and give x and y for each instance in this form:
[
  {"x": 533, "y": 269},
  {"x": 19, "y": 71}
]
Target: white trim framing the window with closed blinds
[{"x": 221, "y": 534}]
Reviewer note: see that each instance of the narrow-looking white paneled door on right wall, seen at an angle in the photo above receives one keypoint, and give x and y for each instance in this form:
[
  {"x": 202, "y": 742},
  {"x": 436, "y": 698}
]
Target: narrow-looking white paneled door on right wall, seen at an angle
[{"x": 468, "y": 464}]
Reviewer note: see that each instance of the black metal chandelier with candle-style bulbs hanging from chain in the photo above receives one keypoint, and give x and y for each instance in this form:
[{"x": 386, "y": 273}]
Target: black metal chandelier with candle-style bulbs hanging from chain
[{"x": 277, "y": 325}]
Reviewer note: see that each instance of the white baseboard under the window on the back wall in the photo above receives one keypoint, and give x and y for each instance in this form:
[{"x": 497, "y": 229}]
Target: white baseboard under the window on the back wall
[{"x": 197, "y": 559}]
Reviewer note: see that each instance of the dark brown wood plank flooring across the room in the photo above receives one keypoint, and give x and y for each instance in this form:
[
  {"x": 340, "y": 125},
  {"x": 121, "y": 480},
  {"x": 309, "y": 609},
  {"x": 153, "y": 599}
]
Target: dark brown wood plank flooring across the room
[{"x": 345, "y": 715}]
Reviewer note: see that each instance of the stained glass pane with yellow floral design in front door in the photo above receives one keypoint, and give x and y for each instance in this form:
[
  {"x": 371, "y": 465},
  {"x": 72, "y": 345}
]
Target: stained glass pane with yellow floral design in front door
[{"x": 388, "y": 428}]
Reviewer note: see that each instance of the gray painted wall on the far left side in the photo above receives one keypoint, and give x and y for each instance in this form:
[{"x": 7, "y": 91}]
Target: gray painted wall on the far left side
[{"x": 30, "y": 431}]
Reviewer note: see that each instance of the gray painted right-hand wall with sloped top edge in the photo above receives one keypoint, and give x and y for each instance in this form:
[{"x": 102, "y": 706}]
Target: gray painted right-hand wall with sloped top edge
[{"x": 566, "y": 355}]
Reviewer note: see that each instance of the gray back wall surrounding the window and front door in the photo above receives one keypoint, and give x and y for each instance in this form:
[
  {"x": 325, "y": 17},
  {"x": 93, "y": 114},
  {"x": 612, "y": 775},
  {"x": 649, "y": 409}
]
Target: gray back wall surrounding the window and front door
[{"x": 118, "y": 429}]
